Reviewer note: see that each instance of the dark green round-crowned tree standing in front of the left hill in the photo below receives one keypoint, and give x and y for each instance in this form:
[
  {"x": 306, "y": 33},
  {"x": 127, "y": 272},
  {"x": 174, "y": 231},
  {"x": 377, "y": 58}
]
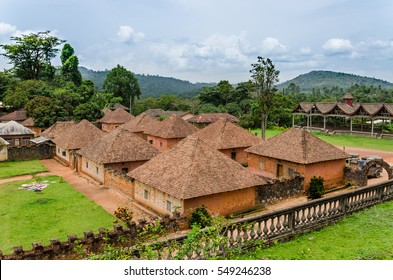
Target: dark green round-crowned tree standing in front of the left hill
[{"x": 122, "y": 83}]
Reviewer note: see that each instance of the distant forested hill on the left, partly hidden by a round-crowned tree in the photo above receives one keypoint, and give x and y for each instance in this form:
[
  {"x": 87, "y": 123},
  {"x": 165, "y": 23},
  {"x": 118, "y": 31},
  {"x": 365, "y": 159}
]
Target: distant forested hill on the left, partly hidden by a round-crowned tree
[{"x": 150, "y": 85}]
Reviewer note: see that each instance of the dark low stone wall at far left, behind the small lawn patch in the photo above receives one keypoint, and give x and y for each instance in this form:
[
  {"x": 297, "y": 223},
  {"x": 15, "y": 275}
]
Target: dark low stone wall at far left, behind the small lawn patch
[{"x": 43, "y": 151}]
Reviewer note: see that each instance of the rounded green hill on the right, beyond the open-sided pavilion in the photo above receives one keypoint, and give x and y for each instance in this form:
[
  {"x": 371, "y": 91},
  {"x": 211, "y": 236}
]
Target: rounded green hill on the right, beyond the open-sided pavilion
[{"x": 329, "y": 79}]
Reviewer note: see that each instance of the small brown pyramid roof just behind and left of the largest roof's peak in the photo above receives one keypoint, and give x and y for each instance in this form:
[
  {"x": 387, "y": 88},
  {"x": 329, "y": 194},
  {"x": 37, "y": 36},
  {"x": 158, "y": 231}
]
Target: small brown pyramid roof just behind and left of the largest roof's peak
[{"x": 172, "y": 127}]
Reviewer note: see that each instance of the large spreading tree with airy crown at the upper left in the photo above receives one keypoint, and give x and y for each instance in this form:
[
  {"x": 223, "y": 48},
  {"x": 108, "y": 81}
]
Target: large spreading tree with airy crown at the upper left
[{"x": 31, "y": 55}]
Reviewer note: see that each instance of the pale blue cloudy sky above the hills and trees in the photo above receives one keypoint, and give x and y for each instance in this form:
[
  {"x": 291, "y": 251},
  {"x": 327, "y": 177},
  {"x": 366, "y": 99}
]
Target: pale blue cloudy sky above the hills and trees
[{"x": 213, "y": 40}]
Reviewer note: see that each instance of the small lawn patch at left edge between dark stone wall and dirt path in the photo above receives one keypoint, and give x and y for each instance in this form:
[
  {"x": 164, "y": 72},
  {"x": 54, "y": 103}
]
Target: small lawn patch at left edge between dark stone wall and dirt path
[{"x": 10, "y": 169}]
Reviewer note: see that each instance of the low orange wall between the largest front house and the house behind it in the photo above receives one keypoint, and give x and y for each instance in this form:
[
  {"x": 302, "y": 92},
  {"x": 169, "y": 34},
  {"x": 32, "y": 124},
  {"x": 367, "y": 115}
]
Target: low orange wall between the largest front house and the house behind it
[{"x": 119, "y": 181}]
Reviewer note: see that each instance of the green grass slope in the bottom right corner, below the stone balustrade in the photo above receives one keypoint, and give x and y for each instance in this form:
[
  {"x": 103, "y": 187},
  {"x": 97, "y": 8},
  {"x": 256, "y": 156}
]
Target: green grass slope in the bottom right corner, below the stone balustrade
[{"x": 366, "y": 235}]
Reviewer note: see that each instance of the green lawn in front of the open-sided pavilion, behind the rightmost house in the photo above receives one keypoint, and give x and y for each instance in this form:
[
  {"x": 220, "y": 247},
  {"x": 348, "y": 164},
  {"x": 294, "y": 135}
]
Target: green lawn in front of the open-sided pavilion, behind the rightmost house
[{"x": 342, "y": 140}]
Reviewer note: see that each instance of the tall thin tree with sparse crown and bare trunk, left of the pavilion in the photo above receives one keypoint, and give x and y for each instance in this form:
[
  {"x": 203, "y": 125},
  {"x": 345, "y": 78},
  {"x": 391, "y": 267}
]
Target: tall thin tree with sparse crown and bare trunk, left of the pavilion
[{"x": 264, "y": 76}]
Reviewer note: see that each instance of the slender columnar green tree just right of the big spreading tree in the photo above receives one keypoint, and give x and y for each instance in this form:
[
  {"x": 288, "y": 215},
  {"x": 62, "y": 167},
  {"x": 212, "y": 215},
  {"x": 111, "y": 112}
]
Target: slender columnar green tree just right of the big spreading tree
[{"x": 70, "y": 63}]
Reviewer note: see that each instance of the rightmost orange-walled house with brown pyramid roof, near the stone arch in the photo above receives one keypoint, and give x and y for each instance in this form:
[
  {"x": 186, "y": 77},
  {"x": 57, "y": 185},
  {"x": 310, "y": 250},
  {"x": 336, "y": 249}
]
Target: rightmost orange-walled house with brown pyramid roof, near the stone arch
[{"x": 298, "y": 151}]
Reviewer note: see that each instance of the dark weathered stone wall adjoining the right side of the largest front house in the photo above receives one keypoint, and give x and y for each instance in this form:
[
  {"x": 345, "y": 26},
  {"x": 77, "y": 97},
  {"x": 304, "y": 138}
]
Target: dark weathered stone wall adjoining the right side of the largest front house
[{"x": 278, "y": 190}]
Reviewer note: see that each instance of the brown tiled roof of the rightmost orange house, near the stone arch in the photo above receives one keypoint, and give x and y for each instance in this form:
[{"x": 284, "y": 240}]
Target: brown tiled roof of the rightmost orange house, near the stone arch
[{"x": 299, "y": 146}]
